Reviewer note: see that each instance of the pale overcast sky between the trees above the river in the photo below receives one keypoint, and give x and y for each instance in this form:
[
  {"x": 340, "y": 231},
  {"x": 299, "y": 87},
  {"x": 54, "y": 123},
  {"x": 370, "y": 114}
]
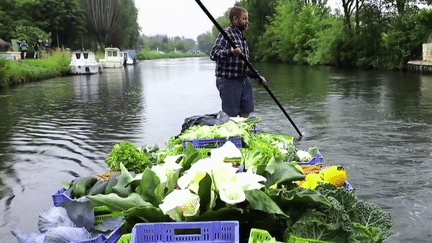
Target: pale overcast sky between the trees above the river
[{"x": 182, "y": 18}]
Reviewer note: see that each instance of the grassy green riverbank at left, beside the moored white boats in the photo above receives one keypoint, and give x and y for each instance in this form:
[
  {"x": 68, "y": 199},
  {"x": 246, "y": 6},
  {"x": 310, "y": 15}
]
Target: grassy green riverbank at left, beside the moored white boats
[{"x": 23, "y": 71}]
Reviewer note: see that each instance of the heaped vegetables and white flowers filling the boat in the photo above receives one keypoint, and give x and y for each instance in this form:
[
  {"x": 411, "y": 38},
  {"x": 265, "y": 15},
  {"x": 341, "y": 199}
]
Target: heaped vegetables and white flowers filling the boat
[{"x": 269, "y": 190}]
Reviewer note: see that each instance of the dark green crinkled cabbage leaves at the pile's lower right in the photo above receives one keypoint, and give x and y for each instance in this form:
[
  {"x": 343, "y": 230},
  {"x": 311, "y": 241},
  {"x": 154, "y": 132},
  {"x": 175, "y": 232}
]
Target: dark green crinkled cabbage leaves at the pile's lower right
[{"x": 344, "y": 219}]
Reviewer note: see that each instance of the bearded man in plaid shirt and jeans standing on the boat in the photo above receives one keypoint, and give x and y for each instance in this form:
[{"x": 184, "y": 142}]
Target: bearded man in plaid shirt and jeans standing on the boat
[{"x": 232, "y": 74}]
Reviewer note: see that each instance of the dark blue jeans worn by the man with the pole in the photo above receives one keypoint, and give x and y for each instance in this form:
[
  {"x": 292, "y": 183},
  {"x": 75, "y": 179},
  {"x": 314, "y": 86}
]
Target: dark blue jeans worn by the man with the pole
[{"x": 236, "y": 95}]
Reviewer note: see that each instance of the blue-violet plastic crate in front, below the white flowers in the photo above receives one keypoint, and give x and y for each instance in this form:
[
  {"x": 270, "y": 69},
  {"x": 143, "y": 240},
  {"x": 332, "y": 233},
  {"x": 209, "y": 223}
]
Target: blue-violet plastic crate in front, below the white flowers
[{"x": 190, "y": 232}]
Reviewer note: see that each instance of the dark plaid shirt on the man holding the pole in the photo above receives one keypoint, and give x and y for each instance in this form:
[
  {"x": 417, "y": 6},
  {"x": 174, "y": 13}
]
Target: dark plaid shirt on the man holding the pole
[{"x": 229, "y": 65}]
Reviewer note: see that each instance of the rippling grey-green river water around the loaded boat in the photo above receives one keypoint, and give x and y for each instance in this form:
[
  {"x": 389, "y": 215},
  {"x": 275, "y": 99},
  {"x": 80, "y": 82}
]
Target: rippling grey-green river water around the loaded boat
[{"x": 376, "y": 124}]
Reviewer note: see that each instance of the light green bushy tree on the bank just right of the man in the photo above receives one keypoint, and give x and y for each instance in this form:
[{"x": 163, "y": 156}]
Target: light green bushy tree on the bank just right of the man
[{"x": 300, "y": 32}]
